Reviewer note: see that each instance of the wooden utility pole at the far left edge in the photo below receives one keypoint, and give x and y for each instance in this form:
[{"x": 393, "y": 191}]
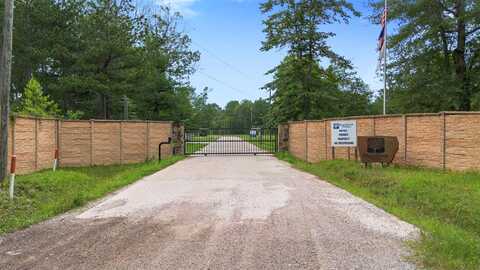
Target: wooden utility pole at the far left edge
[{"x": 5, "y": 84}]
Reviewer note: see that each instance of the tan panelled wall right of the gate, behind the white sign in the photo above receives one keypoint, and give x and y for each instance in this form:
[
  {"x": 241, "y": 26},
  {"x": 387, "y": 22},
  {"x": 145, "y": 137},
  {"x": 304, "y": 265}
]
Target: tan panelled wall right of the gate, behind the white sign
[{"x": 449, "y": 140}]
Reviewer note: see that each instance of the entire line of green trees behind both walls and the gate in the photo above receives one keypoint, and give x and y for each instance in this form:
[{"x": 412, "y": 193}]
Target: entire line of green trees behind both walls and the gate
[{"x": 93, "y": 57}]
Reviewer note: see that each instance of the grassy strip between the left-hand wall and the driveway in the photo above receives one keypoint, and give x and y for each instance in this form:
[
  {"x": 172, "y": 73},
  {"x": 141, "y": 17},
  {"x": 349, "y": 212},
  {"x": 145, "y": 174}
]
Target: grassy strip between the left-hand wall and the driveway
[{"x": 45, "y": 194}]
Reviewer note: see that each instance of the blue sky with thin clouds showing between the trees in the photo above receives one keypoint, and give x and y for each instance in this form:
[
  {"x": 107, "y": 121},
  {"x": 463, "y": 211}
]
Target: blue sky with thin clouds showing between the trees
[{"x": 228, "y": 34}]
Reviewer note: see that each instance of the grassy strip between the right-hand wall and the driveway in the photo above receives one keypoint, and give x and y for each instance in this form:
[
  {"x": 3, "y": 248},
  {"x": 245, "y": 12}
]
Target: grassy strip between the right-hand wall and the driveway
[{"x": 445, "y": 205}]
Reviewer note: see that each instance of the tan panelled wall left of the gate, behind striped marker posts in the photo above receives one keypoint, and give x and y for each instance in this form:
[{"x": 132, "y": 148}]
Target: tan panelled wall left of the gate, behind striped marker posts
[{"x": 85, "y": 143}]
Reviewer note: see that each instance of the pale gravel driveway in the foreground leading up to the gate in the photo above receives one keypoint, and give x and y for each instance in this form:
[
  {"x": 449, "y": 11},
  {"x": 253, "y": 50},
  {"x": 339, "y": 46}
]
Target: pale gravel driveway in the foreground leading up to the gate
[{"x": 219, "y": 212}]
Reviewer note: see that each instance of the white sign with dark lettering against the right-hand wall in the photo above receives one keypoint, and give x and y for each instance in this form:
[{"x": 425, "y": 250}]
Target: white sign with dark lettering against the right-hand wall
[{"x": 344, "y": 133}]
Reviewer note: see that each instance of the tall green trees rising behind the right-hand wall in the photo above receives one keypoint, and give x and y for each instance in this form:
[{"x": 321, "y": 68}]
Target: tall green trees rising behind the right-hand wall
[{"x": 434, "y": 58}]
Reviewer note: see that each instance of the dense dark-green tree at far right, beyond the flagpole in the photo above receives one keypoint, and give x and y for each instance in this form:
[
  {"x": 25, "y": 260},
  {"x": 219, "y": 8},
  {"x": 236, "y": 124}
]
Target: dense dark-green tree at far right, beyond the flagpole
[{"x": 434, "y": 53}]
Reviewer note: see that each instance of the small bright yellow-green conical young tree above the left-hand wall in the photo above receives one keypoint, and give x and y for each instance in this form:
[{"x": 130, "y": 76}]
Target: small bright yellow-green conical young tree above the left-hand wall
[{"x": 35, "y": 103}]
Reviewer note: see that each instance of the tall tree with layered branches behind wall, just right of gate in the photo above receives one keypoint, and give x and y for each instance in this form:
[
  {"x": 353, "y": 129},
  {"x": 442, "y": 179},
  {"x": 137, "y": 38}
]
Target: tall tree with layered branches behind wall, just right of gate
[{"x": 300, "y": 85}]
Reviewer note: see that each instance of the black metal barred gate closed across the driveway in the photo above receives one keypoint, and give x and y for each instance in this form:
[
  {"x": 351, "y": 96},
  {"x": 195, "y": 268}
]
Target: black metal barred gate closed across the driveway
[{"x": 252, "y": 141}]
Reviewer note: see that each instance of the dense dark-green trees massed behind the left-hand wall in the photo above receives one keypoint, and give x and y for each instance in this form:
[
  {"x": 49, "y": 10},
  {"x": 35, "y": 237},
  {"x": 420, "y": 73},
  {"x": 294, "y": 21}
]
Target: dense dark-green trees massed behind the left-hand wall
[{"x": 89, "y": 54}]
